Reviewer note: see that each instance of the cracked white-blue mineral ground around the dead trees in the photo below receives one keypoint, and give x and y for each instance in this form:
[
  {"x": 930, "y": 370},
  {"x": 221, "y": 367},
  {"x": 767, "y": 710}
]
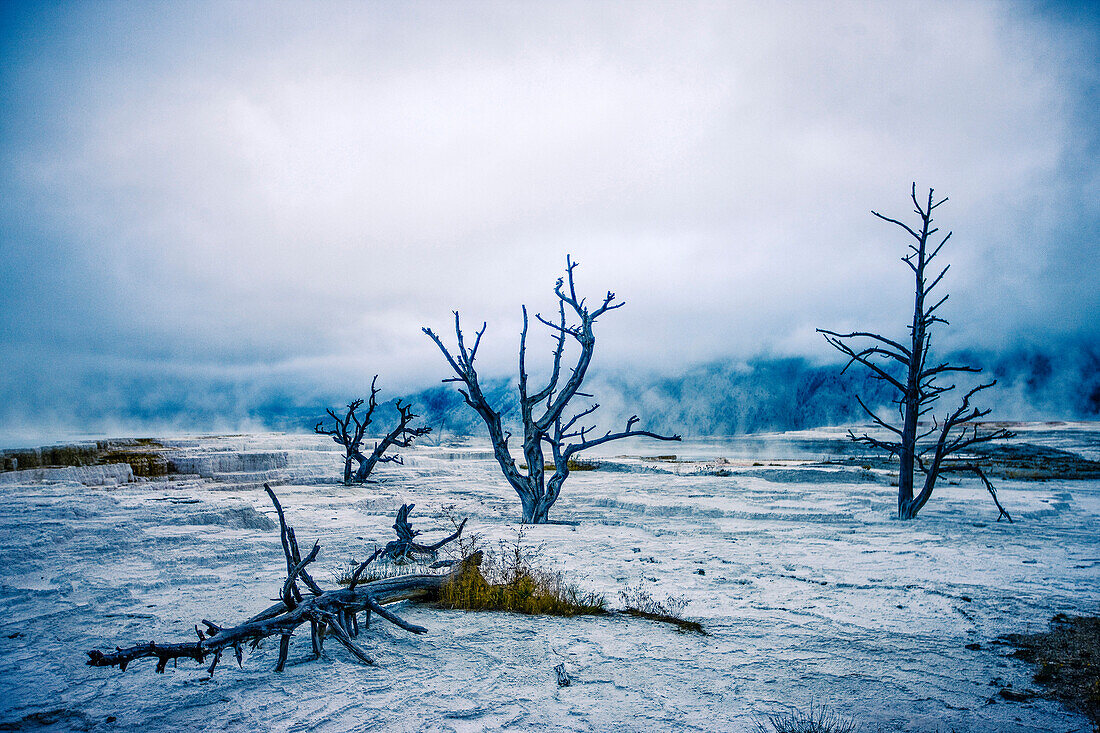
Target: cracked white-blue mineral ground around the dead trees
[{"x": 811, "y": 593}]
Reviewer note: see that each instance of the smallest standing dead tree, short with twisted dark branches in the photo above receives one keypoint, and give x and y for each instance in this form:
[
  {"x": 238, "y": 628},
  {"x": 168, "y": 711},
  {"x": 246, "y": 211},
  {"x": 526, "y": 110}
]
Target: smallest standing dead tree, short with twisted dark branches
[{"x": 350, "y": 430}]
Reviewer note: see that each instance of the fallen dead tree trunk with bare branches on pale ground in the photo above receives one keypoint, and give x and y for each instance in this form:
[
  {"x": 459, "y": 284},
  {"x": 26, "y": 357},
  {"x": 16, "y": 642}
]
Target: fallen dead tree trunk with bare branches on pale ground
[{"x": 328, "y": 612}]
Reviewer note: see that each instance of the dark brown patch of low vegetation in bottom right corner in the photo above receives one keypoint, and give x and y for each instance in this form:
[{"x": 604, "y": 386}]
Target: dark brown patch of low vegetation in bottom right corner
[{"x": 1069, "y": 662}]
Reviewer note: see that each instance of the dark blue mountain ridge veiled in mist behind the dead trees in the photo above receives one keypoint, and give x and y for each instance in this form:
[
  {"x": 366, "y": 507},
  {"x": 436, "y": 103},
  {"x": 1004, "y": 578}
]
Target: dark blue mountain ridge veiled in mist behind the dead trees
[{"x": 773, "y": 395}]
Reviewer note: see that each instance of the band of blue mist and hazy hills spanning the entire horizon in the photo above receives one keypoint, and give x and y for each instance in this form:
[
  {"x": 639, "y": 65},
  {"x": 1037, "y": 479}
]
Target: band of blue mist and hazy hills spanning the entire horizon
[{"x": 717, "y": 399}]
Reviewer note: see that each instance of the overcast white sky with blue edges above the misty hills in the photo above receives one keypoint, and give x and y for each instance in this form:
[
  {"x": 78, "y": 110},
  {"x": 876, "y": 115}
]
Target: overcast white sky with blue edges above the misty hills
[{"x": 289, "y": 192}]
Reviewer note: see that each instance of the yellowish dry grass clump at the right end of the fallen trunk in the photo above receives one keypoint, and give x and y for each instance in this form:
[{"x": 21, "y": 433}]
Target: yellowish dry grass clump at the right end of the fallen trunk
[{"x": 510, "y": 581}]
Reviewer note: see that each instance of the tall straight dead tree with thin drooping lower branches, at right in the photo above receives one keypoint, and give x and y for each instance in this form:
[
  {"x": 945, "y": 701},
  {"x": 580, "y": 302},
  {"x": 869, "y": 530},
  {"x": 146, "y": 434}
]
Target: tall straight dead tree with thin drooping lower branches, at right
[{"x": 916, "y": 379}]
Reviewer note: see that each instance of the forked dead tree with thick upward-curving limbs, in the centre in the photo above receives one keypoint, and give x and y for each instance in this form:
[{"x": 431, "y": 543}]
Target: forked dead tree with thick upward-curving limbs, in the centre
[{"x": 543, "y": 411}]
